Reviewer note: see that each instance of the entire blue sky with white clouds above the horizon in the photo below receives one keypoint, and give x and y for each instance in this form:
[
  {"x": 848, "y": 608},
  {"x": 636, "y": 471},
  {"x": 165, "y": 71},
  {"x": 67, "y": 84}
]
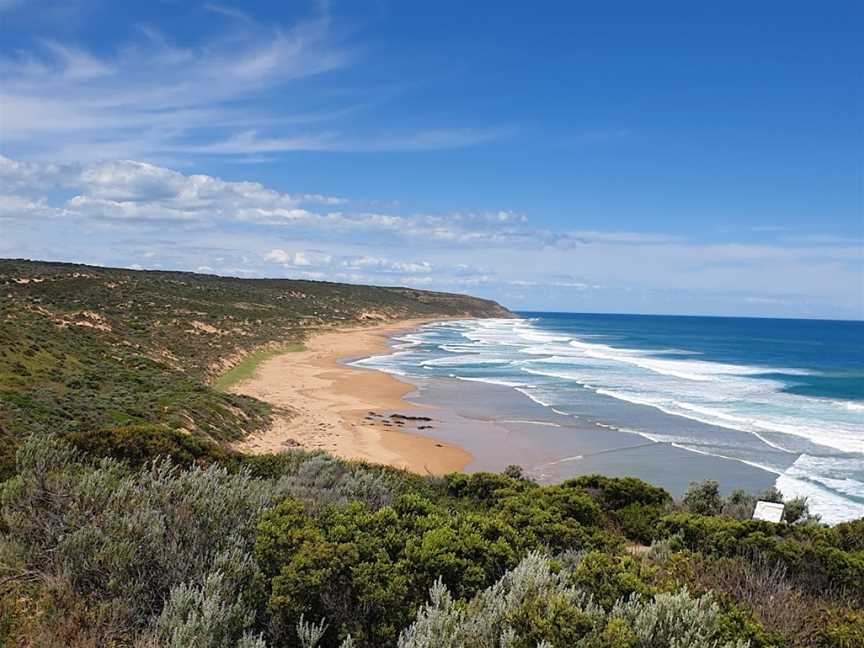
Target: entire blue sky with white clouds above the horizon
[{"x": 621, "y": 157}]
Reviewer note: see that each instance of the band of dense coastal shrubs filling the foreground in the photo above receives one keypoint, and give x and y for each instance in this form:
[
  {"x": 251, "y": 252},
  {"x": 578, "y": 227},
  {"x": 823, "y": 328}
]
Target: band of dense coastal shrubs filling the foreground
[{"x": 301, "y": 549}]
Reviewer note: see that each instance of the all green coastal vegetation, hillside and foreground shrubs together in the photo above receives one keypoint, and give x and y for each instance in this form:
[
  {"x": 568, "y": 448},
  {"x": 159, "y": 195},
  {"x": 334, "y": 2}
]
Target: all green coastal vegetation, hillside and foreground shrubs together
[{"x": 128, "y": 520}]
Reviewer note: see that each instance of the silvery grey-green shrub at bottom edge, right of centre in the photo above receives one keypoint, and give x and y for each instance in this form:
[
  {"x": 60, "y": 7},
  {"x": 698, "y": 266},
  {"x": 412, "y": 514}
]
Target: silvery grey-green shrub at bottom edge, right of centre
[{"x": 534, "y": 605}]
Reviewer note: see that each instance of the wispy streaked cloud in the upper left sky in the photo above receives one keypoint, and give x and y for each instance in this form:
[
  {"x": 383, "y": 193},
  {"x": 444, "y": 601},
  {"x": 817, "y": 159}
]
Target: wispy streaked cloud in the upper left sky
[{"x": 156, "y": 98}]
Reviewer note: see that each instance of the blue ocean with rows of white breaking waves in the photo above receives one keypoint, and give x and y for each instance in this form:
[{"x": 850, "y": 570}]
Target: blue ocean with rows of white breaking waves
[{"x": 786, "y": 396}]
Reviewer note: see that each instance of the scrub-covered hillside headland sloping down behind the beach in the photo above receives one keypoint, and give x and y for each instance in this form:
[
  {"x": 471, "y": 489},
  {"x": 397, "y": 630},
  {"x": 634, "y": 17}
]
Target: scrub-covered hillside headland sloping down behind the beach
[{"x": 85, "y": 348}]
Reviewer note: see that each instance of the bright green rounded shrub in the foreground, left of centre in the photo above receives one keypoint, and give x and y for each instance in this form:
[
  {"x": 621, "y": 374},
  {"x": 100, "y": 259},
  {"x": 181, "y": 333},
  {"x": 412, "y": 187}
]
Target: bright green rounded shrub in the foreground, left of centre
[{"x": 366, "y": 570}]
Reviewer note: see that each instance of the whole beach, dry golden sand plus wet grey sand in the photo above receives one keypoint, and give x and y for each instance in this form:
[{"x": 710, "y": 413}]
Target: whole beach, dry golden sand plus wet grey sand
[{"x": 474, "y": 426}]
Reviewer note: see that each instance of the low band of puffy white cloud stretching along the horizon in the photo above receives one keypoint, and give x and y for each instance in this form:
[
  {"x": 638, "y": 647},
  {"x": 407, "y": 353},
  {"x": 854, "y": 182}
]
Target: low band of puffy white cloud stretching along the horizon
[{"x": 121, "y": 212}]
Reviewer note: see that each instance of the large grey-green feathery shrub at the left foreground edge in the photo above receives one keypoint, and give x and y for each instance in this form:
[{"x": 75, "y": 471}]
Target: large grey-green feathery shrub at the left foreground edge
[{"x": 121, "y": 540}]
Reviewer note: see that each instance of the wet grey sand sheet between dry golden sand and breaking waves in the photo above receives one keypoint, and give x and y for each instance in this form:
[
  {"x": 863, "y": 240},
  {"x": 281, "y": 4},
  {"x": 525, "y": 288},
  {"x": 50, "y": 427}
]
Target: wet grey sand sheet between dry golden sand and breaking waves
[{"x": 502, "y": 426}]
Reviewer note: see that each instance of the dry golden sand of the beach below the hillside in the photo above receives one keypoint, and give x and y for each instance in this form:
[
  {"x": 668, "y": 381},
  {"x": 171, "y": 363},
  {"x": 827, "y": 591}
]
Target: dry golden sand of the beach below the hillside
[{"x": 330, "y": 405}]
